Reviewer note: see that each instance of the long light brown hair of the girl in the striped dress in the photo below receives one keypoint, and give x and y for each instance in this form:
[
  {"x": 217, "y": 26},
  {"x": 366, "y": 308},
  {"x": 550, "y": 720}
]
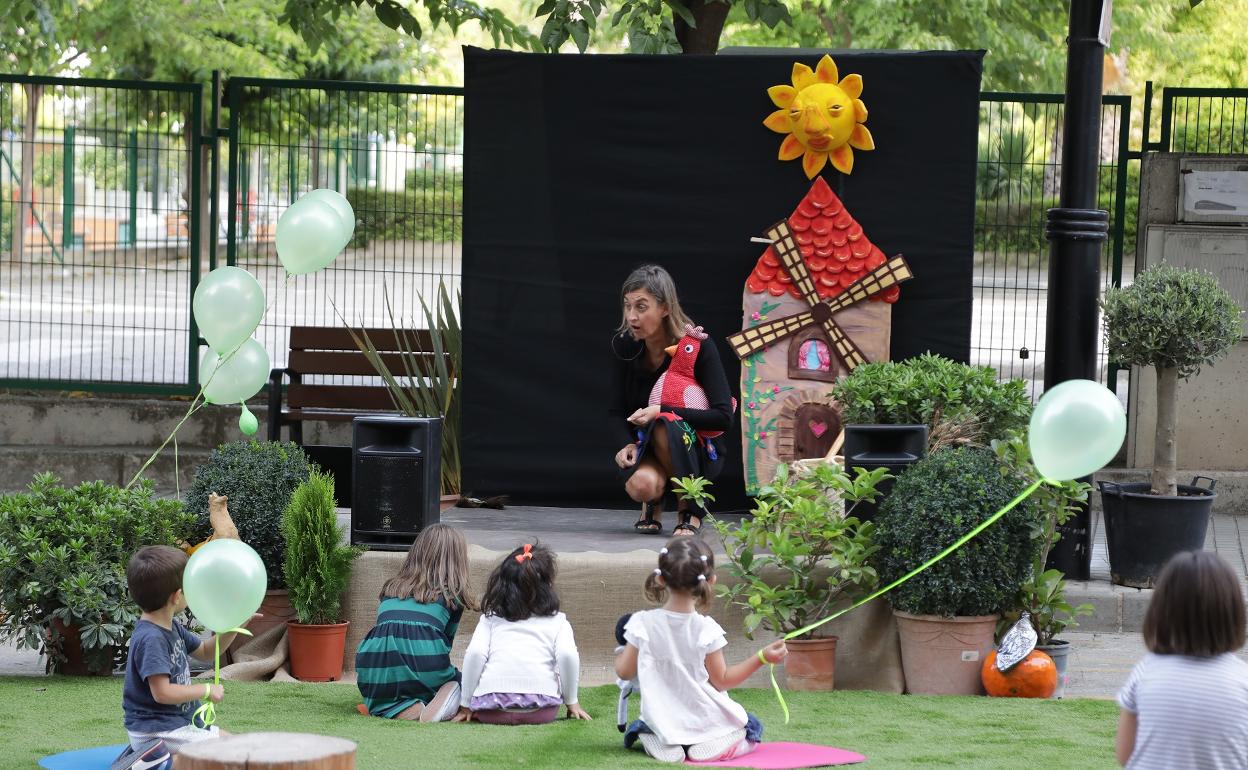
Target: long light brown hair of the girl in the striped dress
[{"x": 436, "y": 568}]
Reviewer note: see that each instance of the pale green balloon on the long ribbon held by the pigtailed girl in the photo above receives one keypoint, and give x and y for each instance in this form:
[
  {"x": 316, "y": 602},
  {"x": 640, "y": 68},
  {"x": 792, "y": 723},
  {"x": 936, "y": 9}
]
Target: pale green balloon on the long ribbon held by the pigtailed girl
[{"x": 1078, "y": 427}]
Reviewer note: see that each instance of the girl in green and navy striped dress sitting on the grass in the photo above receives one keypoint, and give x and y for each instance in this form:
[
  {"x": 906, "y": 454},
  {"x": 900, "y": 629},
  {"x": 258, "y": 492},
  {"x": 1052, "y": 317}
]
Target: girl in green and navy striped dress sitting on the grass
[{"x": 404, "y": 666}]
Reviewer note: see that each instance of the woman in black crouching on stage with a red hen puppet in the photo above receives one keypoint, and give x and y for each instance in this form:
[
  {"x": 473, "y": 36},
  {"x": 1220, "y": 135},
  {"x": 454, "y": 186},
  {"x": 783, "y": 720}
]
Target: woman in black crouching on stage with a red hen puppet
[{"x": 663, "y": 441}]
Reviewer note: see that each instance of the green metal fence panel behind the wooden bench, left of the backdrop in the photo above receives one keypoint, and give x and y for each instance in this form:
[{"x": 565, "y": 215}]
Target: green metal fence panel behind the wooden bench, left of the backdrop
[{"x": 395, "y": 152}]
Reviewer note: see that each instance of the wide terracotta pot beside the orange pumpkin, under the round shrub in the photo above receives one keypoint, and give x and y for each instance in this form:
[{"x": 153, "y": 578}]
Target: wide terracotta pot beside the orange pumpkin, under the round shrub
[{"x": 943, "y": 656}]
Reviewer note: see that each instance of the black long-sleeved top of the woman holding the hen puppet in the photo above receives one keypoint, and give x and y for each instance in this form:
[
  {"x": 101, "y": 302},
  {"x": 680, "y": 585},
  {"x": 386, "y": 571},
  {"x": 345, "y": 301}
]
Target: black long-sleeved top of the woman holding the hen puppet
[{"x": 633, "y": 380}]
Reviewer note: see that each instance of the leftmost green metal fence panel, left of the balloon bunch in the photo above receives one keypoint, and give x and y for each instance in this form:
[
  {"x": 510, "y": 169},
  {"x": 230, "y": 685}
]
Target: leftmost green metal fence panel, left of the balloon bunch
[{"x": 97, "y": 238}]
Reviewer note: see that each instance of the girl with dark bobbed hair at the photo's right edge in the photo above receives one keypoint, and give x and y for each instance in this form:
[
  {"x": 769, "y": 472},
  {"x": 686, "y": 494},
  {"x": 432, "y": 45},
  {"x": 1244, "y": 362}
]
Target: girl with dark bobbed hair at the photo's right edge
[{"x": 1186, "y": 704}]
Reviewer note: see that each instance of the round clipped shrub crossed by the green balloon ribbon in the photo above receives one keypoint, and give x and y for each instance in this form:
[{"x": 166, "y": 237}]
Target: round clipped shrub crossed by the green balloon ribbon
[{"x": 934, "y": 504}]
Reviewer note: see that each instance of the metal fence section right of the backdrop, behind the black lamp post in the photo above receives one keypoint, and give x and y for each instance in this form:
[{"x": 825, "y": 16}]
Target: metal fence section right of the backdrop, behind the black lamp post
[{"x": 1018, "y": 182}]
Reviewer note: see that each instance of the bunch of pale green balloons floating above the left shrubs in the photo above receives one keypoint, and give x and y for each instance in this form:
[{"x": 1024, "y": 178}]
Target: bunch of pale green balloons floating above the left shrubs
[{"x": 229, "y": 304}]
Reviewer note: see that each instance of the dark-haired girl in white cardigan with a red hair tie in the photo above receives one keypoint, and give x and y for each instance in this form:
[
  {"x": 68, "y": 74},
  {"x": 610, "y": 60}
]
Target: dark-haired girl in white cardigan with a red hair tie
[{"x": 522, "y": 662}]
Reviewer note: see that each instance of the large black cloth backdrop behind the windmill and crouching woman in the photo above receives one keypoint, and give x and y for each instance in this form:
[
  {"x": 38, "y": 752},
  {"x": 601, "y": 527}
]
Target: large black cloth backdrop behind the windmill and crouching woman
[{"x": 578, "y": 169}]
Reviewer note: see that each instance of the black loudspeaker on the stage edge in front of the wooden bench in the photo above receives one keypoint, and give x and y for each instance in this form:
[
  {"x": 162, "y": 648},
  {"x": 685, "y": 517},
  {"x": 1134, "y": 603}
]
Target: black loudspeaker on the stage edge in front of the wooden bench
[{"x": 396, "y": 480}]
